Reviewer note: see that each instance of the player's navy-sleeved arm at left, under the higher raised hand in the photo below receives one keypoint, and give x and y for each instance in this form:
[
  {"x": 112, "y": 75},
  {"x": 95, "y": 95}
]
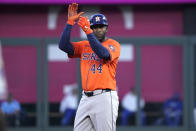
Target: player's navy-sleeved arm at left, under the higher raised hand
[{"x": 64, "y": 42}]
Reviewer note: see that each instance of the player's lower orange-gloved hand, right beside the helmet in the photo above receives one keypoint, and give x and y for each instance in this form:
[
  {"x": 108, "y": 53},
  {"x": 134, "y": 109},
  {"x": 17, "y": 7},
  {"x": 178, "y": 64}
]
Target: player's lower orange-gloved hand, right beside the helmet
[{"x": 85, "y": 24}]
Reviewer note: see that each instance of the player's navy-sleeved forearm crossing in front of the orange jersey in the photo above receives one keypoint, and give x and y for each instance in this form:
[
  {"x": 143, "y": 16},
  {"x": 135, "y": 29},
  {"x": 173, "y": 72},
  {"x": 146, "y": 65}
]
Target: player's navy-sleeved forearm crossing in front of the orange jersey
[{"x": 97, "y": 47}]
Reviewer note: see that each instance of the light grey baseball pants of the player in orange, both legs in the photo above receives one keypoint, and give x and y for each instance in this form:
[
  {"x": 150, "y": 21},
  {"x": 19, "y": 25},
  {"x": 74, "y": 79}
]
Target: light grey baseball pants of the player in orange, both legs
[{"x": 97, "y": 113}]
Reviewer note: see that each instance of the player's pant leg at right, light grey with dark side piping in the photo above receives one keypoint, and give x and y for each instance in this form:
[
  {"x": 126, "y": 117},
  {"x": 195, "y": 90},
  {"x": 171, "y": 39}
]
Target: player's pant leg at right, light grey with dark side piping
[{"x": 105, "y": 111}]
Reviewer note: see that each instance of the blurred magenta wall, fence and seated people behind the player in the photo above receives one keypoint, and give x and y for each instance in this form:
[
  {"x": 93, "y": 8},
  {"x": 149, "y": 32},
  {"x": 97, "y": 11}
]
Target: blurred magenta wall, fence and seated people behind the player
[{"x": 40, "y": 87}]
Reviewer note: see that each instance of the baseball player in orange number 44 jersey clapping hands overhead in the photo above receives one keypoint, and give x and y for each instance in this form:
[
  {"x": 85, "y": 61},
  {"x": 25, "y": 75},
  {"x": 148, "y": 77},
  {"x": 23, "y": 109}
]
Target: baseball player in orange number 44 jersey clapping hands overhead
[{"x": 98, "y": 108}]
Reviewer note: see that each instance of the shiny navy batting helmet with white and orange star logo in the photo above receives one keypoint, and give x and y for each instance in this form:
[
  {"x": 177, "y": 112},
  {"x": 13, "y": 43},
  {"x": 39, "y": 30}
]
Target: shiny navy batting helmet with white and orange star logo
[{"x": 98, "y": 19}]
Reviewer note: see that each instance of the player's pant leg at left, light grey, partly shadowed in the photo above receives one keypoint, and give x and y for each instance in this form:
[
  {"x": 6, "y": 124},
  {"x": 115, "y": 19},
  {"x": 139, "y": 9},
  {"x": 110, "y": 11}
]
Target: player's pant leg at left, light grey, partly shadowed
[{"x": 82, "y": 120}]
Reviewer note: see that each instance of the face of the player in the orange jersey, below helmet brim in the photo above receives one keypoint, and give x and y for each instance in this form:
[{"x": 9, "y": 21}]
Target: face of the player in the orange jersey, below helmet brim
[{"x": 100, "y": 32}]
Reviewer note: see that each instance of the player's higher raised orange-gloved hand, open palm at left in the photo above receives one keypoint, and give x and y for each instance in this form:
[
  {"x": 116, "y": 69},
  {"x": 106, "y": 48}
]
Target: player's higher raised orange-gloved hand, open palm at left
[{"x": 73, "y": 14}]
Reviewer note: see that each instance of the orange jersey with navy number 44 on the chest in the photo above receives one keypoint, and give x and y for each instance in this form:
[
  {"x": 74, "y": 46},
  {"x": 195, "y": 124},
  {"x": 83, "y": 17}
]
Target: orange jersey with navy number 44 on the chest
[{"x": 97, "y": 73}]
